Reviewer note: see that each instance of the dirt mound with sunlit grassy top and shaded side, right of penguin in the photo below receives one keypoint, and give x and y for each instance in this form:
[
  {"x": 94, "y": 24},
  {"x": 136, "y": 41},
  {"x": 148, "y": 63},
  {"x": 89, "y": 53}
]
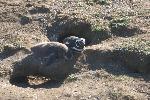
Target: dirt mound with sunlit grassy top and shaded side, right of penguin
[{"x": 132, "y": 53}]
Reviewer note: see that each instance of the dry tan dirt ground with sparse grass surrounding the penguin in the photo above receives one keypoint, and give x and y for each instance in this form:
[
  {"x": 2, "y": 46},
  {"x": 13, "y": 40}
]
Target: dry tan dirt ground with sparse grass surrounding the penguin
[{"x": 106, "y": 80}]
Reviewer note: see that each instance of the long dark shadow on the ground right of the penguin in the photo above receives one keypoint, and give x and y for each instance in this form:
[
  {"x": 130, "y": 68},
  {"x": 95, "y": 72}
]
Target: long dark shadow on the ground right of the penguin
[{"x": 115, "y": 64}]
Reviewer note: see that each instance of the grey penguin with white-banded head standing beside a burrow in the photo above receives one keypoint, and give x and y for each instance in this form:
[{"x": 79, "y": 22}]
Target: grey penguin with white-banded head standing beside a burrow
[{"x": 49, "y": 59}]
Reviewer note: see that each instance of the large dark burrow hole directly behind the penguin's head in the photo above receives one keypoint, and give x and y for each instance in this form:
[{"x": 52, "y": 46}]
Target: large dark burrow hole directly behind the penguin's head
[{"x": 65, "y": 27}]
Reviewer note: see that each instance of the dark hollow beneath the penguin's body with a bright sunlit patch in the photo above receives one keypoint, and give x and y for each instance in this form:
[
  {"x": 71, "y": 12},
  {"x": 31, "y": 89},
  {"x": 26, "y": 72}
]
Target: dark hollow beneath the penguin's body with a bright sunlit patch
[{"x": 34, "y": 81}]
